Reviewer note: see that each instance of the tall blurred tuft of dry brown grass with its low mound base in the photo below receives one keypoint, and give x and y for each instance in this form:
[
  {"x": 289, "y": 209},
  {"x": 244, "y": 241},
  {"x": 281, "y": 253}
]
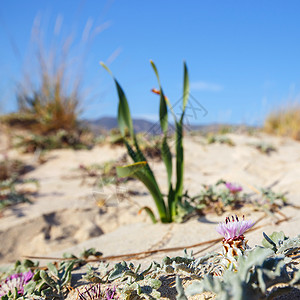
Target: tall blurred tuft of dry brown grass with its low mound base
[{"x": 50, "y": 94}]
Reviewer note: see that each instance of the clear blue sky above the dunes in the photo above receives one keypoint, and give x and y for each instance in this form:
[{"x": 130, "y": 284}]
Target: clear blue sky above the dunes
[{"x": 243, "y": 56}]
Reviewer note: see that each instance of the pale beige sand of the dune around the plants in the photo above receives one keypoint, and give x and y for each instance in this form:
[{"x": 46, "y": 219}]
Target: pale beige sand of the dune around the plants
[{"x": 69, "y": 214}]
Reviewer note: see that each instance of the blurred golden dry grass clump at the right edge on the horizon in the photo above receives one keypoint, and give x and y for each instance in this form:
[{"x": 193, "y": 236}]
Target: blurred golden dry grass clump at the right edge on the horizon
[{"x": 284, "y": 121}]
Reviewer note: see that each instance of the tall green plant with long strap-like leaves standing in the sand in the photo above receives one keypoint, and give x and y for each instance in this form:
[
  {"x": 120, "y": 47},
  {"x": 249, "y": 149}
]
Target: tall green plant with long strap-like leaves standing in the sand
[{"x": 167, "y": 210}]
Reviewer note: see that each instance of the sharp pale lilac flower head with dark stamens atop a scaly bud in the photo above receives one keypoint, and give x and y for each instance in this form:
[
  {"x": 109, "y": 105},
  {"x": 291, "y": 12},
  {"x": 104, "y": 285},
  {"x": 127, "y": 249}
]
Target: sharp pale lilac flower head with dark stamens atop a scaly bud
[{"x": 234, "y": 228}]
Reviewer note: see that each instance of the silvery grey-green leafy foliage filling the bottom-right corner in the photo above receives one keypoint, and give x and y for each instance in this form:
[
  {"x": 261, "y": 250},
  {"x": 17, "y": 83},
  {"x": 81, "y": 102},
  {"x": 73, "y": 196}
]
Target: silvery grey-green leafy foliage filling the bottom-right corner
[{"x": 257, "y": 274}]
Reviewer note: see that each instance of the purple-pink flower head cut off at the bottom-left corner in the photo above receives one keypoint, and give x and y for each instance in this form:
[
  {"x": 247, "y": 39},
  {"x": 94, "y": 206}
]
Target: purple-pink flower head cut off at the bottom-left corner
[{"x": 15, "y": 281}]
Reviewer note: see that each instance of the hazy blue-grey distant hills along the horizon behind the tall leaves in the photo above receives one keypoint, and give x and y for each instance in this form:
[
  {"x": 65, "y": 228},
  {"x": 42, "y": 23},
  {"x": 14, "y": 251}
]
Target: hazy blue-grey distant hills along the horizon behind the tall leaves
[{"x": 105, "y": 124}]
